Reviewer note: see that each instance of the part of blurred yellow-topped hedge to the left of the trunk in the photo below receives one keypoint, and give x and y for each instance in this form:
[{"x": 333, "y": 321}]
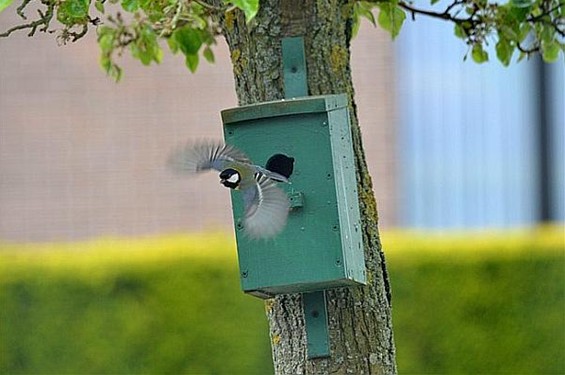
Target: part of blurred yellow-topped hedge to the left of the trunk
[{"x": 154, "y": 306}]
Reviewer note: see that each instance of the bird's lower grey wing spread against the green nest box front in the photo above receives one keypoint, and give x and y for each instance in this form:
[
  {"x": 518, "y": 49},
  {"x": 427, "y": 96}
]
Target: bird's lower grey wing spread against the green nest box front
[{"x": 266, "y": 208}]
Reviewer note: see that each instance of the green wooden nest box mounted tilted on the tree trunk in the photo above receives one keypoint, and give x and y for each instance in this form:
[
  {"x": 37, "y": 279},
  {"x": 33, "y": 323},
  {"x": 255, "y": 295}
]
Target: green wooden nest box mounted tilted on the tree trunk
[{"x": 321, "y": 246}]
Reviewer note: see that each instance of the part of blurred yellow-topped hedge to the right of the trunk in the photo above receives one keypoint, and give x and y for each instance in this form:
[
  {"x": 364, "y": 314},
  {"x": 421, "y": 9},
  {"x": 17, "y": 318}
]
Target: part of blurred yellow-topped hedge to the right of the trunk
[{"x": 476, "y": 304}]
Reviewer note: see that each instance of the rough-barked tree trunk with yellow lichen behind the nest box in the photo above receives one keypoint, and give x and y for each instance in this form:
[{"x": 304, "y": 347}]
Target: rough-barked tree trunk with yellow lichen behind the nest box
[{"x": 360, "y": 321}]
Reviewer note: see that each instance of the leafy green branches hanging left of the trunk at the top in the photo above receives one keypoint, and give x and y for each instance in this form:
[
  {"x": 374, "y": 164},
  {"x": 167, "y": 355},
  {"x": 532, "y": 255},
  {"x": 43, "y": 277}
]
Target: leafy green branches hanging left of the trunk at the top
[{"x": 188, "y": 26}]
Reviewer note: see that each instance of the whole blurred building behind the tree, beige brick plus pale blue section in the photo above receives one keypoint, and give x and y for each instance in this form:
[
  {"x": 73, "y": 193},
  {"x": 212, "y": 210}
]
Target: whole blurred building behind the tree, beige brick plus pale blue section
[{"x": 450, "y": 144}]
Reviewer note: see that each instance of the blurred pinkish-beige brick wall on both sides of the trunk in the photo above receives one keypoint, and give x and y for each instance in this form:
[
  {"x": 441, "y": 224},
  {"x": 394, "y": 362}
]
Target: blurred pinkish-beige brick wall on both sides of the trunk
[{"x": 81, "y": 156}]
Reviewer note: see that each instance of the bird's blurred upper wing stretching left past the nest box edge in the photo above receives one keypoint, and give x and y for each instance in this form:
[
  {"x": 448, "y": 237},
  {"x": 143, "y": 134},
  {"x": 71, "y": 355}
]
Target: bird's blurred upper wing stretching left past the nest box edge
[{"x": 202, "y": 156}]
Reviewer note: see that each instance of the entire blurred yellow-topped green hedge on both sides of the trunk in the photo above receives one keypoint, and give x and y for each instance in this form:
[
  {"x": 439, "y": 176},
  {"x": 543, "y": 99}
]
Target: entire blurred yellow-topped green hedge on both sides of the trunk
[{"x": 463, "y": 303}]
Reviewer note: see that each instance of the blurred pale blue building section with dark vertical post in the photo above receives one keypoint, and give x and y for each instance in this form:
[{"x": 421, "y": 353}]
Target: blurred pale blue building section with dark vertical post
[{"x": 478, "y": 145}]
